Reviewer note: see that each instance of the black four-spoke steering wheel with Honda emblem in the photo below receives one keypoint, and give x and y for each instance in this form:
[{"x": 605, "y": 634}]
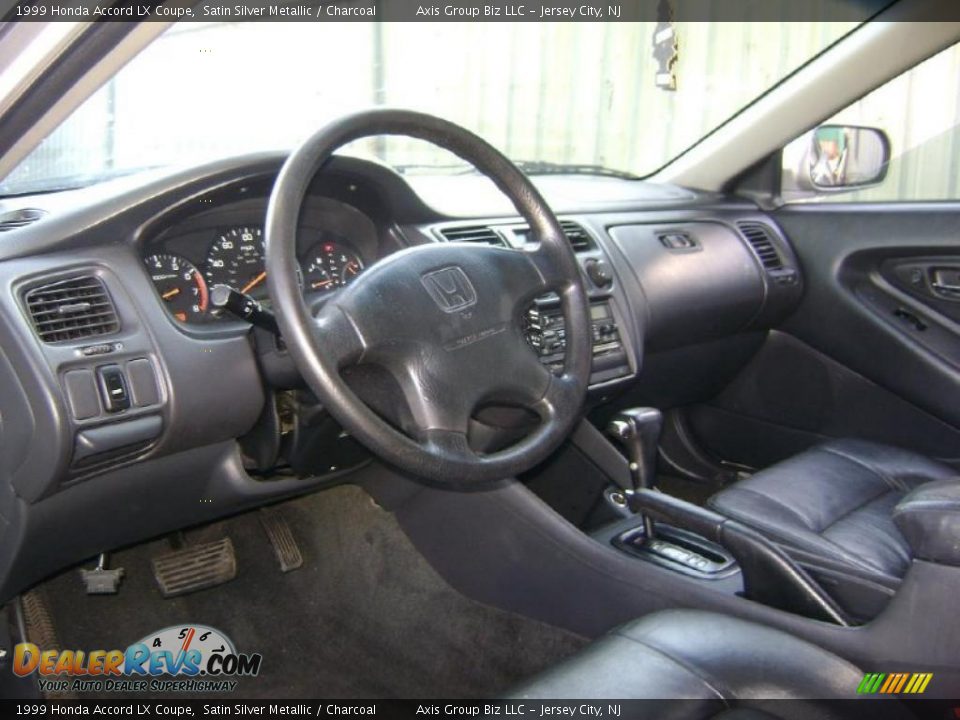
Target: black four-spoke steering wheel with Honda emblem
[{"x": 444, "y": 320}]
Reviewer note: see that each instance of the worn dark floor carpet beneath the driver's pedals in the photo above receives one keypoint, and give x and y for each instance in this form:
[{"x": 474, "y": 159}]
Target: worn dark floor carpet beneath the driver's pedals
[{"x": 365, "y": 617}]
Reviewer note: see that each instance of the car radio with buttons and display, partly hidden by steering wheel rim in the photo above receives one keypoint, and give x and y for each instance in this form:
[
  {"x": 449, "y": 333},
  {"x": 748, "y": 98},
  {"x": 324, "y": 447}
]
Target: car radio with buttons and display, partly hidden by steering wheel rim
[{"x": 545, "y": 330}]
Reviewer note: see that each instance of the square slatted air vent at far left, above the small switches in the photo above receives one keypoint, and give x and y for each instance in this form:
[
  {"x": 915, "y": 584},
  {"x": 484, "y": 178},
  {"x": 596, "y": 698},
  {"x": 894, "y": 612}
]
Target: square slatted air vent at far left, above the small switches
[{"x": 71, "y": 309}]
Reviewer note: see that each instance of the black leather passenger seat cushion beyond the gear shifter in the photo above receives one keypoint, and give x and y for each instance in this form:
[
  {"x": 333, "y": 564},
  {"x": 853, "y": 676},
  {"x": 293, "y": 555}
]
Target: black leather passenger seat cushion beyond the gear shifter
[{"x": 834, "y": 503}]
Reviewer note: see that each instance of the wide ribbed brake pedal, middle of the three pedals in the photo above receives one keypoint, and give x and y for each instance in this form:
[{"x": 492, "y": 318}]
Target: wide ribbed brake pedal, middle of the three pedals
[{"x": 195, "y": 568}]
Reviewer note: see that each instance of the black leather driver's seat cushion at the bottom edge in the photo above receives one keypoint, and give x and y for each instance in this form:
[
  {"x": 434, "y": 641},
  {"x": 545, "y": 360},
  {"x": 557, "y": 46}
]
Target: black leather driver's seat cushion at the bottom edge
[{"x": 721, "y": 666}]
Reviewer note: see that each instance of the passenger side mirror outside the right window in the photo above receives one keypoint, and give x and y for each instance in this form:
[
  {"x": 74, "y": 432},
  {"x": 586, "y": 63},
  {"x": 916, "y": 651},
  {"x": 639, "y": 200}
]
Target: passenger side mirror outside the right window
[{"x": 844, "y": 157}]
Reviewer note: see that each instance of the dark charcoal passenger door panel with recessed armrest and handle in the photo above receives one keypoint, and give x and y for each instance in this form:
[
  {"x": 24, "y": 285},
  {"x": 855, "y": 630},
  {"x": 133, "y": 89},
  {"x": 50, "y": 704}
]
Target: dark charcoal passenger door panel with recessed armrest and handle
[{"x": 873, "y": 349}]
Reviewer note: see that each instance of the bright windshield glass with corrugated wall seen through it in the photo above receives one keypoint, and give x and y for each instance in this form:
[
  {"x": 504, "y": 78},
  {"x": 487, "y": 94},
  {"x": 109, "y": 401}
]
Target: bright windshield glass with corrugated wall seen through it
[{"x": 578, "y": 97}]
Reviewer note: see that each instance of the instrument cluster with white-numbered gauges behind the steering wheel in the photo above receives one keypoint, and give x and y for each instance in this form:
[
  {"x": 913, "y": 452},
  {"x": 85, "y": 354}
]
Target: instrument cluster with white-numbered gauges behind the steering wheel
[{"x": 334, "y": 244}]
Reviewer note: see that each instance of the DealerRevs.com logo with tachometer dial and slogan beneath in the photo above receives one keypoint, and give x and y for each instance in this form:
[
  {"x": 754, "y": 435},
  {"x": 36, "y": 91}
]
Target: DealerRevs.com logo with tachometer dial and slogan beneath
[{"x": 180, "y": 658}]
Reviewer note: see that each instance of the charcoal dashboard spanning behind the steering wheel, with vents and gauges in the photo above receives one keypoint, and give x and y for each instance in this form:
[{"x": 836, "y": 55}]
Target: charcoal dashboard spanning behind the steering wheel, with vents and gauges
[{"x": 123, "y": 389}]
